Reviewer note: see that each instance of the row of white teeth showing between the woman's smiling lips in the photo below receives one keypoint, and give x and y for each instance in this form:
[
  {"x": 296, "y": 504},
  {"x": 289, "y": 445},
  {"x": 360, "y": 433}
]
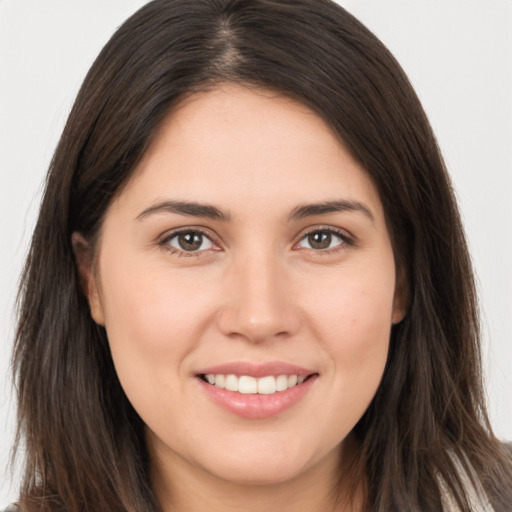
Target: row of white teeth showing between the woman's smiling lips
[{"x": 250, "y": 385}]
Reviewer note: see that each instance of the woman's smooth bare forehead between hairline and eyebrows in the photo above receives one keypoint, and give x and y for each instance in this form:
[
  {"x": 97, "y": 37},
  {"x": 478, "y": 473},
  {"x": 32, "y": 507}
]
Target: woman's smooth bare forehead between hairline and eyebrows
[{"x": 248, "y": 147}]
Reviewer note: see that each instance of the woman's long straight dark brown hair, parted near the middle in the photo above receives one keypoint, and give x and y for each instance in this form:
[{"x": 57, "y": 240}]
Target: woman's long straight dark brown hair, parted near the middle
[{"x": 83, "y": 441}]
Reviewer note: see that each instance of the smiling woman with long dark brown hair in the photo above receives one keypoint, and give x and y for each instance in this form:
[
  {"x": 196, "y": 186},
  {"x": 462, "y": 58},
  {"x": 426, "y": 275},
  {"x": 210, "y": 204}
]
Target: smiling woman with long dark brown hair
[{"x": 248, "y": 287}]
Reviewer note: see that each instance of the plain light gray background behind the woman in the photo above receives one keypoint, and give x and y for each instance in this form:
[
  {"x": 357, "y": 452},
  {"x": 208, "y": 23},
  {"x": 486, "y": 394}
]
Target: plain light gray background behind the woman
[{"x": 458, "y": 54}]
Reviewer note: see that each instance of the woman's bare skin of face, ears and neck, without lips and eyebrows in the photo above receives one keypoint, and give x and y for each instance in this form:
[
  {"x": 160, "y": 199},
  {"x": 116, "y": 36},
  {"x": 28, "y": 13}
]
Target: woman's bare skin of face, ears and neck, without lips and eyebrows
[{"x": 255, "y": 291}]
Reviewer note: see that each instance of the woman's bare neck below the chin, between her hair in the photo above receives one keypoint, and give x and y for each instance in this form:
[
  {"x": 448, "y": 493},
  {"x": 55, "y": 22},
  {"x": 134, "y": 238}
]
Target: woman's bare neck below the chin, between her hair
[{"x": 182, "y": 487}]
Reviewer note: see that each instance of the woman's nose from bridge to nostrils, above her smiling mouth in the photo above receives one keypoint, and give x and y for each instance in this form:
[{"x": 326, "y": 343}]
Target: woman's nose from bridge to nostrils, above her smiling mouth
[{"x": 259, "y": 303}]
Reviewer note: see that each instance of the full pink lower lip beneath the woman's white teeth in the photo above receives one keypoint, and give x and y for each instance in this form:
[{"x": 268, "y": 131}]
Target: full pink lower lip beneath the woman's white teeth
[{"x": 256, "y": 406}]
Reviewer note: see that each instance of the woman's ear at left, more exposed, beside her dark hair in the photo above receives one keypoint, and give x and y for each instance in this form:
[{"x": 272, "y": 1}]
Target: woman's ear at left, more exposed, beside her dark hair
[{"x": 84, "y": 259}]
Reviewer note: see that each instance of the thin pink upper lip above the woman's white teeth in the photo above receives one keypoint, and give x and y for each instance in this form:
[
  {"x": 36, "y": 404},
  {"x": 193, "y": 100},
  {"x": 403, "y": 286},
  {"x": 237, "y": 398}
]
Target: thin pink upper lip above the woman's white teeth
[{"x": 256, "y": 370}]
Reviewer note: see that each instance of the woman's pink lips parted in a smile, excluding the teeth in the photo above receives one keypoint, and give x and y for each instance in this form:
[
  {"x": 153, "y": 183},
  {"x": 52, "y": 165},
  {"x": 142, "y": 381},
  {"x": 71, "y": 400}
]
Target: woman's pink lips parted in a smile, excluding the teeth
[{"x": 255, "y": 406}]
